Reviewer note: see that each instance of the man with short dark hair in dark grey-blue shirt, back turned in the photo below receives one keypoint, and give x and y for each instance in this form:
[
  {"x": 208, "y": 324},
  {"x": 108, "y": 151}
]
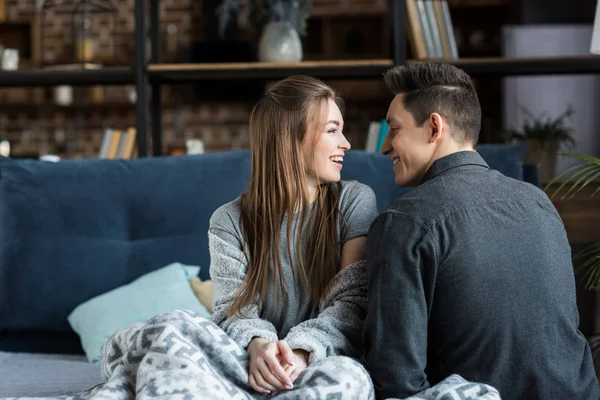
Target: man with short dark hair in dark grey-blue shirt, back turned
[{"x": 470, "y": 273}]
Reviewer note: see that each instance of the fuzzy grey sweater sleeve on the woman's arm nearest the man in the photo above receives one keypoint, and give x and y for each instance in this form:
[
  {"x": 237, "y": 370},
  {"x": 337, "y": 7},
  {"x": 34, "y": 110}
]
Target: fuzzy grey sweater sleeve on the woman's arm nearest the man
[{"x": 337, "y": 328}]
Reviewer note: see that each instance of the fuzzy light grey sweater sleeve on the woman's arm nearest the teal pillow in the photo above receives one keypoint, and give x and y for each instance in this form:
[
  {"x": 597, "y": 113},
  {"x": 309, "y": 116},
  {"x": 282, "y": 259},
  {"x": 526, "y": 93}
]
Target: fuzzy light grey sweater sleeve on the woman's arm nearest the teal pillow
[{"x": 228, "y": 268}]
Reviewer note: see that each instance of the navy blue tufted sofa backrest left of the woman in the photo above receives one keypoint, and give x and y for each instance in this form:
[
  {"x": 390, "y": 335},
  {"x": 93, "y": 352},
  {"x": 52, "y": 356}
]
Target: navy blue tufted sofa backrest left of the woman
[{"x": 75, "y": 229}]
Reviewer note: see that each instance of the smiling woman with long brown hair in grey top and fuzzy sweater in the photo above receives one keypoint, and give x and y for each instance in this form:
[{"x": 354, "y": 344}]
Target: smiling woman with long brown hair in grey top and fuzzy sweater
[{"x": 285, "y": 256}]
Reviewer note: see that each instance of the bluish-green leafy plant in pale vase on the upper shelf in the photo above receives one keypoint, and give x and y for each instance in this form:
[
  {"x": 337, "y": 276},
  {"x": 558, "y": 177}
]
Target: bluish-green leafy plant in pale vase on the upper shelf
[{"x": 280, "y": 23}]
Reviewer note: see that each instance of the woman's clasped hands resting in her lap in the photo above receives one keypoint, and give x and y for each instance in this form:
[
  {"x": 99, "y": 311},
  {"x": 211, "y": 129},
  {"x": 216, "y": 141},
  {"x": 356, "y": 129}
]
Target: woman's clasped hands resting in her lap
[{"x": 274, "y": 366}]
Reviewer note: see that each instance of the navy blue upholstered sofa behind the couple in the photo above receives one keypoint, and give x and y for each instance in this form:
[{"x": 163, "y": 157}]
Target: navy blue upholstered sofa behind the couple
[{"x": 75, "y": 229}]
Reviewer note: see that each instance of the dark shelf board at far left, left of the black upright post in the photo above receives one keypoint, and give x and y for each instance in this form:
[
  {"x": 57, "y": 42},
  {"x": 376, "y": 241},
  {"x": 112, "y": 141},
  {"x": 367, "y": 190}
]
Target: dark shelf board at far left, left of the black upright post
[{"x": 81, "y": 77}]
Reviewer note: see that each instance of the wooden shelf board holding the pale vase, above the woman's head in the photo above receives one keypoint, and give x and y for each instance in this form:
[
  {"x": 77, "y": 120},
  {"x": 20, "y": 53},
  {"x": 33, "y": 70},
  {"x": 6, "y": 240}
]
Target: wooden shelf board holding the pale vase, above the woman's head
[{"x": 180, "y": 73}]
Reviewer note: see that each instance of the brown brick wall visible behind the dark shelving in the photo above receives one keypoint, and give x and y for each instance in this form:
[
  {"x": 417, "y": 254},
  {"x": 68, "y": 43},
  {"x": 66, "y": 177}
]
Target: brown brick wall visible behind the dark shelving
[{"x": 34, "y": 124}]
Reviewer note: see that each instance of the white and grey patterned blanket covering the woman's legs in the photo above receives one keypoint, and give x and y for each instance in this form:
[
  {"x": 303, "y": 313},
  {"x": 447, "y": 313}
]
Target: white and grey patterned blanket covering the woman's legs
[{"x": 179, "y": 355}]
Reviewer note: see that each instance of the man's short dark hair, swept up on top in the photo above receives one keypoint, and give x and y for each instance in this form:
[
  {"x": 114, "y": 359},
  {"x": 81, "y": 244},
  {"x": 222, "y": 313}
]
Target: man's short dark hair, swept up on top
[{"x": 441, "y": 88}]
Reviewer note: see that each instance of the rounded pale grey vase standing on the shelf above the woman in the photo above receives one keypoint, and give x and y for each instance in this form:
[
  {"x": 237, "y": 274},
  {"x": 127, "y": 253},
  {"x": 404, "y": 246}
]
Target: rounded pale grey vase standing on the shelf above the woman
[{"x": 279, "y": 42}]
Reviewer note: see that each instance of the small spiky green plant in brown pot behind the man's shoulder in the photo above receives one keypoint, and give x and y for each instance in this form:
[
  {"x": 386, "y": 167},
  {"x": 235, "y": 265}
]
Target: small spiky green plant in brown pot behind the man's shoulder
[{"x": 545, "y": 135}]
